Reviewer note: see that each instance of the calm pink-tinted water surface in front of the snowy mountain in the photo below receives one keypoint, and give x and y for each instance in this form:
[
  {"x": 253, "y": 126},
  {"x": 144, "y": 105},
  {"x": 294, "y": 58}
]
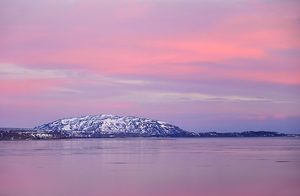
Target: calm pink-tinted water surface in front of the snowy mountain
[{"x": 151, "y": 167}]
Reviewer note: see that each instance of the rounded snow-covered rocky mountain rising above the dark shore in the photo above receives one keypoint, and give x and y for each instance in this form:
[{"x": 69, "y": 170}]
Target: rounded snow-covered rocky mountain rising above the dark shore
[{"x": 111, "y": 125}]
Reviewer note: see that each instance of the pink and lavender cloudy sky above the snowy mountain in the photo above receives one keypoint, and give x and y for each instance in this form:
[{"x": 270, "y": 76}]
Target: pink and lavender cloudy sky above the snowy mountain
[{"x": 202, "y": 65}]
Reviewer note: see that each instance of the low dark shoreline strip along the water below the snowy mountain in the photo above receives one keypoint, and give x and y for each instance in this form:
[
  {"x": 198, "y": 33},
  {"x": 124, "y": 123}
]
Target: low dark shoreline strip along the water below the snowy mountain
[{"x": 31, "y": 134}]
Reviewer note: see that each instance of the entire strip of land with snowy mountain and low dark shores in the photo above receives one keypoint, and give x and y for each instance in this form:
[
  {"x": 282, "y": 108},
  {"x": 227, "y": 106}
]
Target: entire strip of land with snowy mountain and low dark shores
[{"x": 110, "y": 126}]
